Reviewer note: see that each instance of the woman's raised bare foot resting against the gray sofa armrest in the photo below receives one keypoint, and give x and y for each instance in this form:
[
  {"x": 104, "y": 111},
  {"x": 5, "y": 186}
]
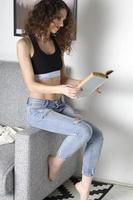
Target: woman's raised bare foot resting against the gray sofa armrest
[{"x": 53, "y": 168}]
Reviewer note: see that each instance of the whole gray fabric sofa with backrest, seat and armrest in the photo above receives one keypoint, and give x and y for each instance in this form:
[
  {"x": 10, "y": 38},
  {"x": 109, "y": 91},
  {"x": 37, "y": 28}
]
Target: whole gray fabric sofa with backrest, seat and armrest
[{"x": 23, "y": 164}]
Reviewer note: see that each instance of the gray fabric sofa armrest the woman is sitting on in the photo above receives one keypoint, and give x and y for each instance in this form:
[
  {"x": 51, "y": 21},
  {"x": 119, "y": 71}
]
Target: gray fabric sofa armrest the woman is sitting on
[{"x": 32, "y": 148}]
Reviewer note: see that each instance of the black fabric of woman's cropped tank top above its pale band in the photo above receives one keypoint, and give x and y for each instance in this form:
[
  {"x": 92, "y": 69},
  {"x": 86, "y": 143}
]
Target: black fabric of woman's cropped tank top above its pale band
[{"x": 45, "y": 63}]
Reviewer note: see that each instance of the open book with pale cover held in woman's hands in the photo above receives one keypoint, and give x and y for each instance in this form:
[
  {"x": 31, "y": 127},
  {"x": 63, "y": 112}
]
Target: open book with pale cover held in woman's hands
[{"x": 93, "y": 81}]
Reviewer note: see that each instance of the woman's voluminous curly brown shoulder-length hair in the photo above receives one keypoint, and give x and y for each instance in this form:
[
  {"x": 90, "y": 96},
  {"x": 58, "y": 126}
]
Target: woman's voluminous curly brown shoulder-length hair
[{"x": 40, "y": 17}]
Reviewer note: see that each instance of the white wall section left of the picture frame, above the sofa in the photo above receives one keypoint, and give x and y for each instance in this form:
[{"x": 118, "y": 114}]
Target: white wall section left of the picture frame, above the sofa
[{"x": 7, "y": 40}]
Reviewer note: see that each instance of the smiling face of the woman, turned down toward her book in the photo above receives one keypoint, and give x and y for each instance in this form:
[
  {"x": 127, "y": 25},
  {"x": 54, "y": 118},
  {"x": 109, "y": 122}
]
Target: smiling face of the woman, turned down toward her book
[{"x": 58, "y": 21}]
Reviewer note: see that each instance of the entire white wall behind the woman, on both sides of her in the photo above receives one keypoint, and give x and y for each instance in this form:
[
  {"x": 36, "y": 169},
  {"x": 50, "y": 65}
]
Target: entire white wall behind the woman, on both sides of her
[{"x": 104, "y": 41}]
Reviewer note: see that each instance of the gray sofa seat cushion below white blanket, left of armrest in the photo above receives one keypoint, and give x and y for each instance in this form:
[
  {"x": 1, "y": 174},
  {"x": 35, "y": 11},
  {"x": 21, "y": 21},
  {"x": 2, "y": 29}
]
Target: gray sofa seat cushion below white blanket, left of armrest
[{"x": 6, "y": 168}]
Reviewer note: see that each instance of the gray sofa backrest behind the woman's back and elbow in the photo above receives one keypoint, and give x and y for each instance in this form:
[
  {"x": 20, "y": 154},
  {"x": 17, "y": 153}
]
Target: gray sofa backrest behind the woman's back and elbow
[{"x": 13, "y": 98}]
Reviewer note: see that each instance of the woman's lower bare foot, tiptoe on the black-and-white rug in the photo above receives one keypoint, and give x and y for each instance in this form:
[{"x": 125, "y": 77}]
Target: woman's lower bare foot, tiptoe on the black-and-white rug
[{"x": 84, "y": 192}]
